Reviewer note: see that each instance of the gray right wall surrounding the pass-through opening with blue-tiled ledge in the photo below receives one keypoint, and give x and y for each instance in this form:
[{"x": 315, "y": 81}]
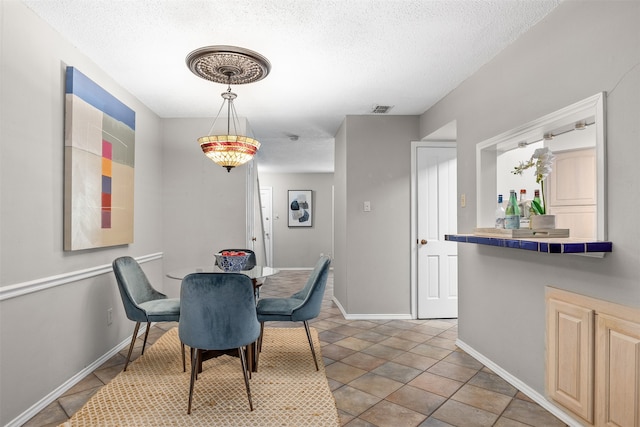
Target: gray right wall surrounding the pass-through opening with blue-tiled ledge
[{"x": 580, "y": 49}]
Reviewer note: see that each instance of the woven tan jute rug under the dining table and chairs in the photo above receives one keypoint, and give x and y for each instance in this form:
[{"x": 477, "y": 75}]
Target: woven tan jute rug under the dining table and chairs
[{"x": 287, "y": 390}]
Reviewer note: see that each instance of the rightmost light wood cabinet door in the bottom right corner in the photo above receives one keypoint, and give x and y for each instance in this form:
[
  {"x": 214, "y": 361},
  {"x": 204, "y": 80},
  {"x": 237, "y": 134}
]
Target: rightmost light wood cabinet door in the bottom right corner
[{"x": 618, "y": 372}]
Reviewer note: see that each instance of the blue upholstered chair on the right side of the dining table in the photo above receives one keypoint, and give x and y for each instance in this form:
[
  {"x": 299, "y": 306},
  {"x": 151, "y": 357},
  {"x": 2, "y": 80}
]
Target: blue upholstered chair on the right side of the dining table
[{"x": 302, "y": 306}]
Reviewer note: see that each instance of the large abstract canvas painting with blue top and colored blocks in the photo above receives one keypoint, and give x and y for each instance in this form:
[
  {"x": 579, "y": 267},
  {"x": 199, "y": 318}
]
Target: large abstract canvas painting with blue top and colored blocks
[{"x": 99, "y": 166}]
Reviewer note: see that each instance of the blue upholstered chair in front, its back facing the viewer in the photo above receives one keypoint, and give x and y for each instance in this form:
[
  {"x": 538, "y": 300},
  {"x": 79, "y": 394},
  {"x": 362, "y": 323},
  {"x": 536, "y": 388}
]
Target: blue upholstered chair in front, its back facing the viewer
[{"x": 218, "y": 312}]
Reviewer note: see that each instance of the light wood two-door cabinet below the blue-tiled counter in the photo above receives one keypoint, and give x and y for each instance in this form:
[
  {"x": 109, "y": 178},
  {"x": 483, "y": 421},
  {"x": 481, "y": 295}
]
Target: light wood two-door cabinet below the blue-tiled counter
[{"x": 593, "y": 359}]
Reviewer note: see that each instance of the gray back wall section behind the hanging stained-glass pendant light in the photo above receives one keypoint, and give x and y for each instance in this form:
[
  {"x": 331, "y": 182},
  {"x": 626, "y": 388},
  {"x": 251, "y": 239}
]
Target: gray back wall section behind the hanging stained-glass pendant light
[{"x": 204, "y": 206}]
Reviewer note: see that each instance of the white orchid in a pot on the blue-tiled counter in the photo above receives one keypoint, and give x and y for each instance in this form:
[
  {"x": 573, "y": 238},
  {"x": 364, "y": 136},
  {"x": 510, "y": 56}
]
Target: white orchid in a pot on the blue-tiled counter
[{"x": 542, "y": 159}]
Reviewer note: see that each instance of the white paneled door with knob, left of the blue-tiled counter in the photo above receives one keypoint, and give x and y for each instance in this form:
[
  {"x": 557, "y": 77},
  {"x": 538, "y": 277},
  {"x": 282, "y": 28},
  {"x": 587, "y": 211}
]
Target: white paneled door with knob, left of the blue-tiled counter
[{"x": 437, "y": 259}]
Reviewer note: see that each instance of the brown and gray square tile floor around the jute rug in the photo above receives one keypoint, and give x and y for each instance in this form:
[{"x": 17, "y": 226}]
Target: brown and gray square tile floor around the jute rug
[{"x": 382, "y": 373}]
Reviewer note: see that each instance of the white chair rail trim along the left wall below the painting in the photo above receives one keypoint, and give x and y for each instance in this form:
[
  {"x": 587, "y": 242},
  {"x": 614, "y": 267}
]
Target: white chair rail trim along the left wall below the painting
[{"x": 24, "y": 288}]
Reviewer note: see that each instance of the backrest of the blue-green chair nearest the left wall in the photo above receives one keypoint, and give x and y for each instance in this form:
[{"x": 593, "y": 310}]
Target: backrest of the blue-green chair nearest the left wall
[{"x": 134, "y": 287}]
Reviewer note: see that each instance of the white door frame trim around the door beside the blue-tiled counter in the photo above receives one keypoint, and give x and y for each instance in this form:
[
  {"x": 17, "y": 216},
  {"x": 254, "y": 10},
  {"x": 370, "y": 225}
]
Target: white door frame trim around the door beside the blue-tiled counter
[{"x": 413, "y": 240}]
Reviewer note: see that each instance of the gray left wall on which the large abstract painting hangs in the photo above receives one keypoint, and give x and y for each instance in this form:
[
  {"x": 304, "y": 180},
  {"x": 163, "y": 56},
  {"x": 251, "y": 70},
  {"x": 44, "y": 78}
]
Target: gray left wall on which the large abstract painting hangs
[{"x": 48, "y": 336}]
